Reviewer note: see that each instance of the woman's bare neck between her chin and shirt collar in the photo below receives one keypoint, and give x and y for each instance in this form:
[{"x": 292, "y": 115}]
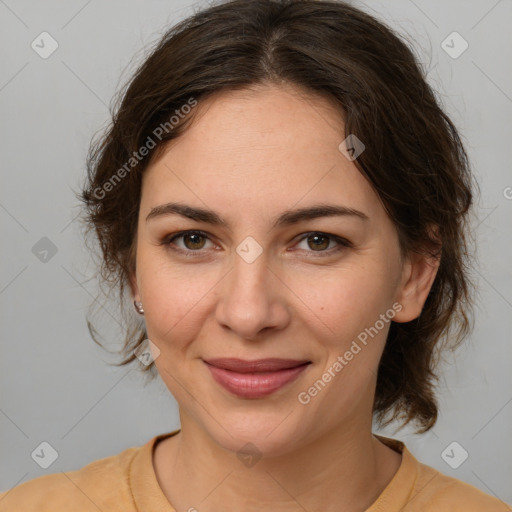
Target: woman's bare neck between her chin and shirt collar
[{"x": 346, "y": 468}]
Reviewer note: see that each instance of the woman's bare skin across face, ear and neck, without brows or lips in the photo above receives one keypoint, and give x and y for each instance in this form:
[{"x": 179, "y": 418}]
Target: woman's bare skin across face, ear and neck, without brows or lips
[{"x": 250, "y": 155}]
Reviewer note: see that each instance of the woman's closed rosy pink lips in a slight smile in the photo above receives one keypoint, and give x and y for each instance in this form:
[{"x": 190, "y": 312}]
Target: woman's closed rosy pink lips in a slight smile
[{"x": 255, "y": 379}]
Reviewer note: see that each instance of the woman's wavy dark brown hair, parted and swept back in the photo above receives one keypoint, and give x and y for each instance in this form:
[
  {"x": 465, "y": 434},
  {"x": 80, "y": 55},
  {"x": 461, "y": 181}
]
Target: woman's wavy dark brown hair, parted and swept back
[{"x": 414, "y": 158}]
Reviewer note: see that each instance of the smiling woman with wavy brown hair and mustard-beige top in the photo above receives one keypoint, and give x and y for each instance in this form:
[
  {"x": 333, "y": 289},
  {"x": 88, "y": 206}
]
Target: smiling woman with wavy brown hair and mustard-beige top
[{"x": 285, "y": 202}]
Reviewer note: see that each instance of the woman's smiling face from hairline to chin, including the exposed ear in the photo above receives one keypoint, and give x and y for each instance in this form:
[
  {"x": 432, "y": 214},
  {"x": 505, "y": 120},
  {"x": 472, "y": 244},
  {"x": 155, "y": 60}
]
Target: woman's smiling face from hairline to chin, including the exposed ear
[{"x": 257, "y": 284}]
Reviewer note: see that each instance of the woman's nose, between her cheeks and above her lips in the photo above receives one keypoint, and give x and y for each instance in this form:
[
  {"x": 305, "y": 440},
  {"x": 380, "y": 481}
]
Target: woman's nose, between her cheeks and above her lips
[{"x": 253, "y": 298}]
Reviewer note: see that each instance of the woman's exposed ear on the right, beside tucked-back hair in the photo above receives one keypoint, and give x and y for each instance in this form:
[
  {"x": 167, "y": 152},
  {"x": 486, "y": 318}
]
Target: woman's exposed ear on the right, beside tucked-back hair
[{"x": 419, "y": 272}]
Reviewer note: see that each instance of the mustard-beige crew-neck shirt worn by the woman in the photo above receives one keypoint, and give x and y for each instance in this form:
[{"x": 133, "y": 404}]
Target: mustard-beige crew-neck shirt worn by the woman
[{"x": 127, "y": 482}]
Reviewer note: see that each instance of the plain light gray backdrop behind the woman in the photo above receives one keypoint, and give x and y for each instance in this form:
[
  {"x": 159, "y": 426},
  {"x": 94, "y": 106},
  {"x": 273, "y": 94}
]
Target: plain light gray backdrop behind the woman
[{"x": 56, "y": 385}]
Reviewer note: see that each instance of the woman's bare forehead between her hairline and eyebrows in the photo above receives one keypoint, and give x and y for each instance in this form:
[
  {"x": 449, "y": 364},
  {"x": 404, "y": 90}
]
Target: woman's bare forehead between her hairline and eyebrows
[{"x": 266, "y": 148}]
